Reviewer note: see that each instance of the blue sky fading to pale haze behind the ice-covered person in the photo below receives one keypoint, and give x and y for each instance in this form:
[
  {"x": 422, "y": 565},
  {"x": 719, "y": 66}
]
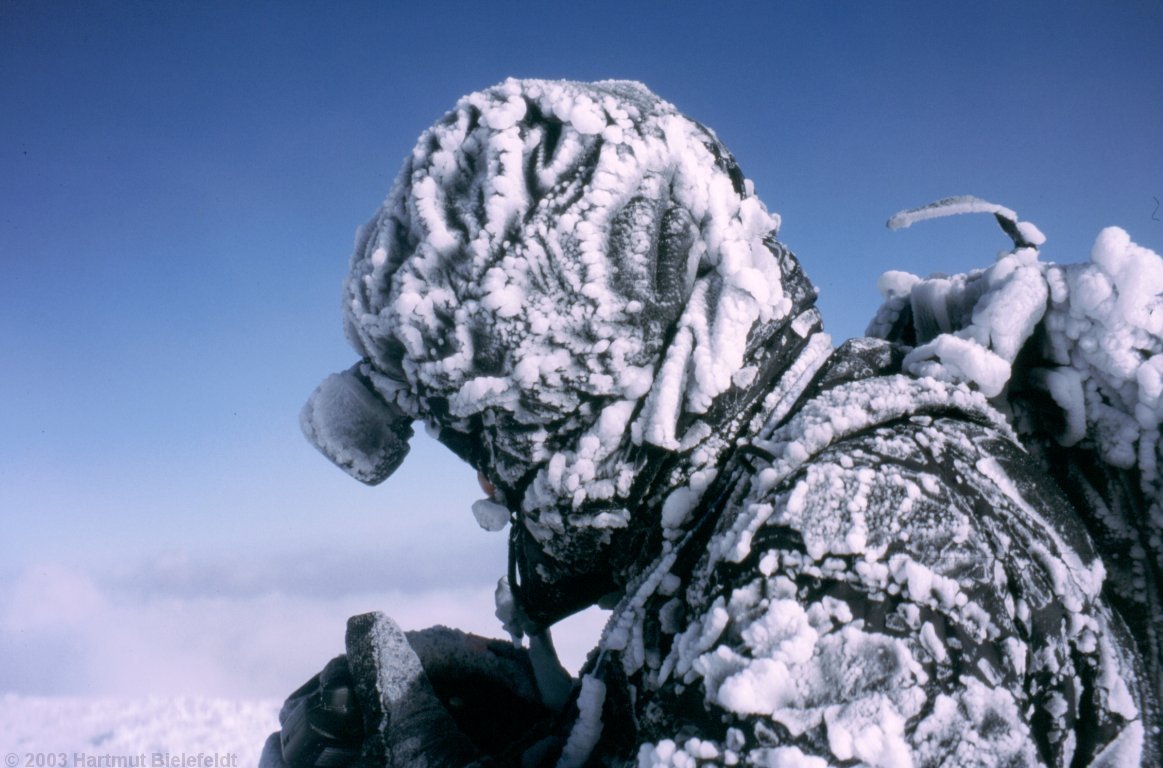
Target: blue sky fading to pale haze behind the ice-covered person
[{"x": 180, "y": 188}]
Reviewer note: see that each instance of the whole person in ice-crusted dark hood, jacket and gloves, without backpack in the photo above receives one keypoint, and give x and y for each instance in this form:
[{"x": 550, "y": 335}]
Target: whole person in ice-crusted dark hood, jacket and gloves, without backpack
[{"x": 814, "y": 556}]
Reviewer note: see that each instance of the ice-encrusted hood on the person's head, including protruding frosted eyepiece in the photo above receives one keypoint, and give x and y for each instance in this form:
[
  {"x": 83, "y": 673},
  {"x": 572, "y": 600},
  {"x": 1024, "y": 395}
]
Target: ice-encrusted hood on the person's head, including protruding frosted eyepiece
[{"x": 569, "y": 283}]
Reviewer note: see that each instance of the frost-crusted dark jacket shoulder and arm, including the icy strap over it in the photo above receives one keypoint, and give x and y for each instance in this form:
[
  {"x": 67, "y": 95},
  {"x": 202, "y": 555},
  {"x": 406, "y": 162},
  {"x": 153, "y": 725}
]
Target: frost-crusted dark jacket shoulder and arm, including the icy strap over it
[{"x": 889, "y": 581}]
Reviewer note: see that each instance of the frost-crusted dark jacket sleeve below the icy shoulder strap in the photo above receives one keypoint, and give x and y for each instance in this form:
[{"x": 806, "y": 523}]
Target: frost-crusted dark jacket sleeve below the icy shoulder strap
[{"x": 912, "y": 592}]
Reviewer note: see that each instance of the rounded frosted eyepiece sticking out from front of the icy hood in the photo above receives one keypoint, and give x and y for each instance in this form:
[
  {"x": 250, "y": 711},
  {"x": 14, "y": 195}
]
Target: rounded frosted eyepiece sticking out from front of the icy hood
[{"x": 351, "y": 424}]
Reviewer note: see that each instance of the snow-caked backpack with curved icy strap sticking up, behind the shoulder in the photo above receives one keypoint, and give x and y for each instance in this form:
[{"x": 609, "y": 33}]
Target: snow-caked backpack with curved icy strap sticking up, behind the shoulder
[{"x": 1075, "y": 354}]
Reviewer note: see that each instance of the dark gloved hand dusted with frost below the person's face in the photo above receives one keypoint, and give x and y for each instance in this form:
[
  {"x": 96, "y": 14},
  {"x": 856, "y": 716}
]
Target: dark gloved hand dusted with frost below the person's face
[{"x": 437, "y": 698}]
